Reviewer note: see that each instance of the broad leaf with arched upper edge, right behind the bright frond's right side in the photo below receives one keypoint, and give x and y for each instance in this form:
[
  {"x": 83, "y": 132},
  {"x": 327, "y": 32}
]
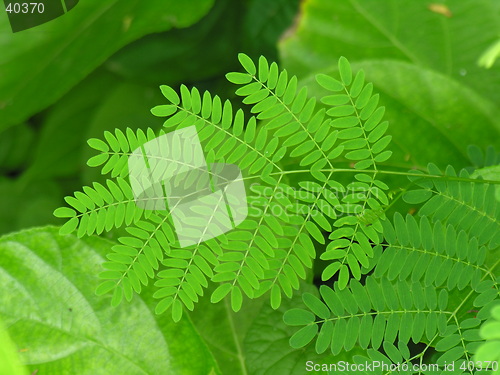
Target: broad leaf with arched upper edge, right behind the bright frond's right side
[{"x": 422, "y": 126}]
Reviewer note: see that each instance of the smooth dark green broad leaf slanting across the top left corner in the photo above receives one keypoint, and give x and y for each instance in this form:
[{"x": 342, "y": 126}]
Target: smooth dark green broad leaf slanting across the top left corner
[{"x": 40, "y": 64}]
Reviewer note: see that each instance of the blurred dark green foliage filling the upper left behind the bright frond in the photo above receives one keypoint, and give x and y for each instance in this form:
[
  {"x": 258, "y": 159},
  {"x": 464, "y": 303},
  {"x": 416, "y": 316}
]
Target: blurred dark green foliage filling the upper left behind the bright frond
[{"x": 99, "y": 68}]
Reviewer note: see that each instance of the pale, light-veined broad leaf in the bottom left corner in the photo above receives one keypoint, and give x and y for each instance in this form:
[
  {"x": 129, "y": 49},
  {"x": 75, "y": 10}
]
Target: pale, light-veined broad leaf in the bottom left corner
[{"x": 60, "y": 326}]
